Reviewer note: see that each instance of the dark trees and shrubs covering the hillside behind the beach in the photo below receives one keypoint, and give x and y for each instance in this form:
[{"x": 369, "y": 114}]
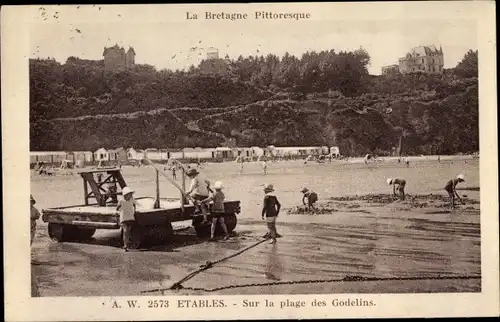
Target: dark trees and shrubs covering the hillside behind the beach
[{"x": 325, "y": 98}]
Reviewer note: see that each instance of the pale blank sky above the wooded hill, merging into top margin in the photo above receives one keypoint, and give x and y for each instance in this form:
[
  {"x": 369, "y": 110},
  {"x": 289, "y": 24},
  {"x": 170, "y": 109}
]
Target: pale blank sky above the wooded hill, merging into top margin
[{"x": 170, "y": 41}]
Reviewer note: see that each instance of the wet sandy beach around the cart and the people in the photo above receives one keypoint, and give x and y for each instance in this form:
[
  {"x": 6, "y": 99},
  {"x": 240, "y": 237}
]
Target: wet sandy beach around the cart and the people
[{"x": 368, "y": 235}]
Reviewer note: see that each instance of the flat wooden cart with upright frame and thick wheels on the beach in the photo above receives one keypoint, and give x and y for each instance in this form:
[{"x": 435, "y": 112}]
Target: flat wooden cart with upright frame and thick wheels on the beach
[{"x": 154, "y": 215}]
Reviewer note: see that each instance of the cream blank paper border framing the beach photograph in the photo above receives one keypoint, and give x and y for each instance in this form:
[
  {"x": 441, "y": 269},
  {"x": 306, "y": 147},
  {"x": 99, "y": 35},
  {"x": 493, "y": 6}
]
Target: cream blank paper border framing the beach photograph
[{"x": 15, "y": 100}]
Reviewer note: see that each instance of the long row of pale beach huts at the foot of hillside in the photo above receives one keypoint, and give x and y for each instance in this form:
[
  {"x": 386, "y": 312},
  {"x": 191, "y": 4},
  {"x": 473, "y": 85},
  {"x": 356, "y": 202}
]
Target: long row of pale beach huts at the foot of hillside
[{"x": 206, "y": 154}]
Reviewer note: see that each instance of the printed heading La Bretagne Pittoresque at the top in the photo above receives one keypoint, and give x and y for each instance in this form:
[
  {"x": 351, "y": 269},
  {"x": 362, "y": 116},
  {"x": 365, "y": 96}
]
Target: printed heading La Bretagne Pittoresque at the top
[{"x": 257, "y": 15}]
